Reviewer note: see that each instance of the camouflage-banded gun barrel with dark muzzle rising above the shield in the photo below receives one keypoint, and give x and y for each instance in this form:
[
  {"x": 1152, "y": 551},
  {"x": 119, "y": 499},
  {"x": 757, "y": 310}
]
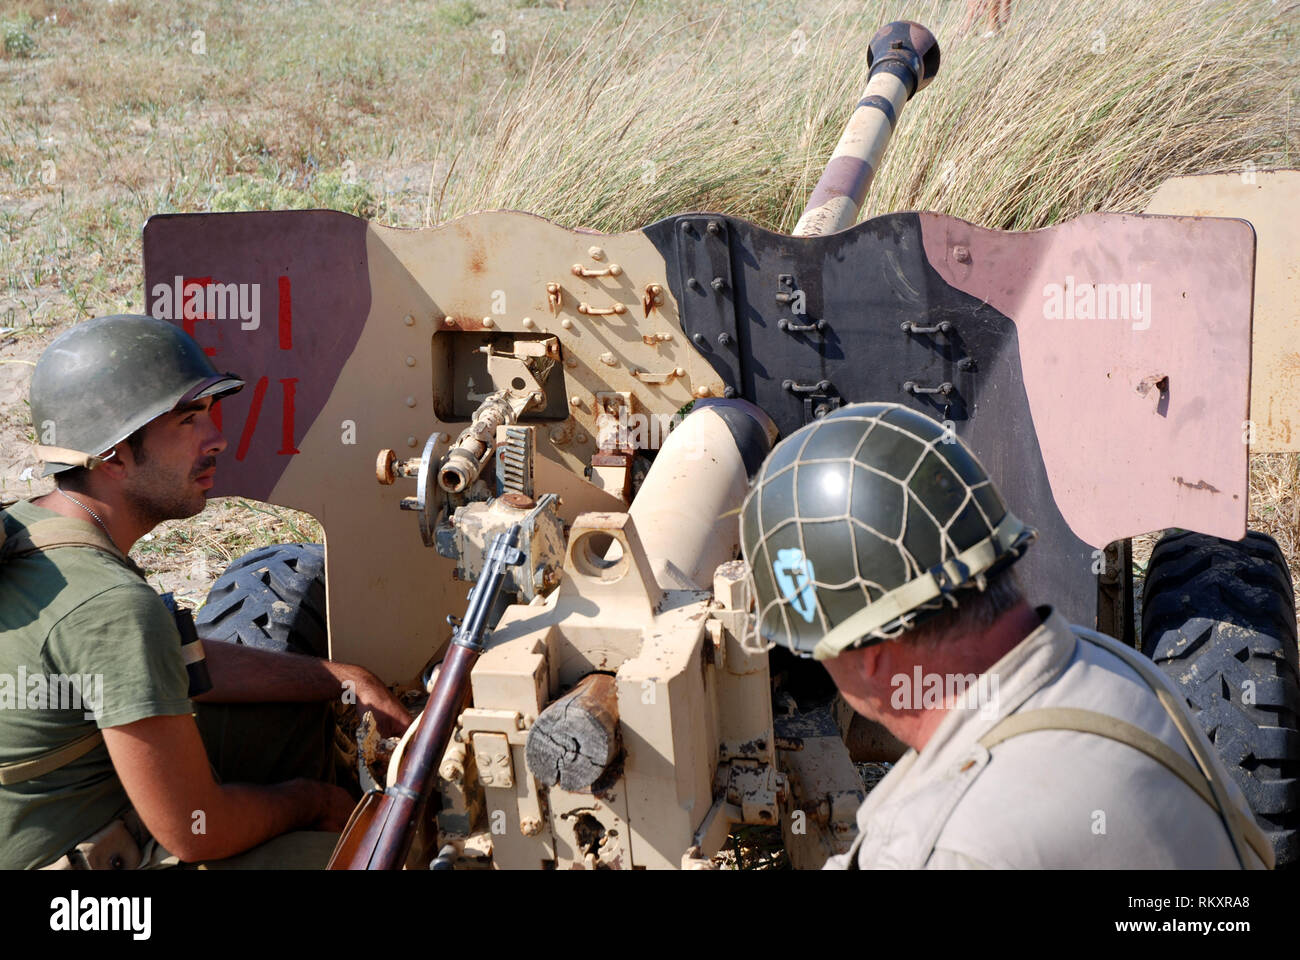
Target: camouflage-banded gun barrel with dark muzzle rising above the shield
[{"x": 903, "y": 59}]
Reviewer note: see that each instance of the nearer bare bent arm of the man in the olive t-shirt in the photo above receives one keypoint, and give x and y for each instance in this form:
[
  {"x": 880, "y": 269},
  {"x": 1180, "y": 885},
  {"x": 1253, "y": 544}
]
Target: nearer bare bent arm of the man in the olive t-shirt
[{"x": 164, "y": 768}]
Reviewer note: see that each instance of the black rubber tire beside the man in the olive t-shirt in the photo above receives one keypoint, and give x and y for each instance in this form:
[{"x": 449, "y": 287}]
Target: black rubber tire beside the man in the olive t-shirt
[{"x": 272, "y": 599}]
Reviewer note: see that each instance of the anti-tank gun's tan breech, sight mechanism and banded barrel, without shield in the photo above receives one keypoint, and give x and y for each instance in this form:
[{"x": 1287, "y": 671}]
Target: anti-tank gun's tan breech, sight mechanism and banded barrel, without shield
[{"x": 614, "y": 711}]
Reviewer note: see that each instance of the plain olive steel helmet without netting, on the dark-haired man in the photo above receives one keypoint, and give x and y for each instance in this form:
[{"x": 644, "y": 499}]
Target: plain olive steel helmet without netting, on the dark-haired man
[{"x": 105, "y": 379}]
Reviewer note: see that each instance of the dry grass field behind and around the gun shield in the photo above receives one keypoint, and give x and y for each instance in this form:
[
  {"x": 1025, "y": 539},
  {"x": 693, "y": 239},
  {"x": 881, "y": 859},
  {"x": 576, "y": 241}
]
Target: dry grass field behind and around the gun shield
[{"x": 599, "y": 116}]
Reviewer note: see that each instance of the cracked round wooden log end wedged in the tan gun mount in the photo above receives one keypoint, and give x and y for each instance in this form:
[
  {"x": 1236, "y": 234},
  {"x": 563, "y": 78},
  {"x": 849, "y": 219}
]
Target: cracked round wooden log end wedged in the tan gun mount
[{"x": 577, "y": 737}]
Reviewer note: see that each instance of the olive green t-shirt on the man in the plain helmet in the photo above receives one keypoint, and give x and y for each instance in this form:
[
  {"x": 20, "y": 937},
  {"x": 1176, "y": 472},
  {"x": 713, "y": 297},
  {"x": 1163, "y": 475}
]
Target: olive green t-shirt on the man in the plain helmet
[{"x": 85, "y": 643}]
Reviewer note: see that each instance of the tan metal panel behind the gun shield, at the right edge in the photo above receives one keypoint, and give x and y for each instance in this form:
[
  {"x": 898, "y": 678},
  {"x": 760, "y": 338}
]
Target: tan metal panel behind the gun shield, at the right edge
[{"x": 1271, "y": 201}]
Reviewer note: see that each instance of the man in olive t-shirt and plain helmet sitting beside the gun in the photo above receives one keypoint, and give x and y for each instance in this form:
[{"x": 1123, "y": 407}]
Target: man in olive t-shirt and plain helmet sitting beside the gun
[{"x": 123, "y": 408}]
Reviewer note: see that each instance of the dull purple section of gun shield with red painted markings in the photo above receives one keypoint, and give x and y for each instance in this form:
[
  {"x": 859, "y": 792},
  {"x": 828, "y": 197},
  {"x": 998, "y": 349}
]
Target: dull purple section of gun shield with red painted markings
[{"x": 306, "y": 280}]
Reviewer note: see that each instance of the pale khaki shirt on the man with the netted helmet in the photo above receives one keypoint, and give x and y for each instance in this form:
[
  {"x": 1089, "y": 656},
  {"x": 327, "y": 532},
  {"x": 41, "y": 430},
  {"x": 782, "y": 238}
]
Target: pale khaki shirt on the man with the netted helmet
[{"x": 1046, "y": 799}]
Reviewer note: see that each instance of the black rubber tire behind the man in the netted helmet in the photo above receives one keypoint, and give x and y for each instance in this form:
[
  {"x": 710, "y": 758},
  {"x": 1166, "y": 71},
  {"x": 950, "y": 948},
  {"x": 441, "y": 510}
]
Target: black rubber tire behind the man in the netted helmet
[{"x": 1216, "y": 616}]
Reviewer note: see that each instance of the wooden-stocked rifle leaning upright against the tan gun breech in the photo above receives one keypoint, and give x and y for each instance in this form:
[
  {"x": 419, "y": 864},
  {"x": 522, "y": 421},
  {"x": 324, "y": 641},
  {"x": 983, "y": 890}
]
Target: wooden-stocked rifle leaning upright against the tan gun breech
[{"x": 382, "y": 829}]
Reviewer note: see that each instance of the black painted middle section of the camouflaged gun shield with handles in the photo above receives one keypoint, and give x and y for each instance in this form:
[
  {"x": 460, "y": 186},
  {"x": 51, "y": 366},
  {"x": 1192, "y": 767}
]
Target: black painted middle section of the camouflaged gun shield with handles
[{"x": 863, "y": 286}]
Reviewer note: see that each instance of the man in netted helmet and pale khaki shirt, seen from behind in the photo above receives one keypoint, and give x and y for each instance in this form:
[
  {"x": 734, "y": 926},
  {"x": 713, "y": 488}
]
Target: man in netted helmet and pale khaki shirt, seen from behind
[{"x": 878, "y": 546}]
